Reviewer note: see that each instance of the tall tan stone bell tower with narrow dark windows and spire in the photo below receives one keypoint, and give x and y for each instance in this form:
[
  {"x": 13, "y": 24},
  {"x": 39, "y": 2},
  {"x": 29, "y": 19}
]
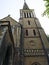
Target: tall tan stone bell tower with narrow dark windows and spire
[{"x": 36, "y": 46}]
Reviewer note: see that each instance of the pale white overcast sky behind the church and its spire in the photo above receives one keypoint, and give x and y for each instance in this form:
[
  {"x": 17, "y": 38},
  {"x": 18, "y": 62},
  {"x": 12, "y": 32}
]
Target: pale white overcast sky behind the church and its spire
[{"x": 13, "y": 7}]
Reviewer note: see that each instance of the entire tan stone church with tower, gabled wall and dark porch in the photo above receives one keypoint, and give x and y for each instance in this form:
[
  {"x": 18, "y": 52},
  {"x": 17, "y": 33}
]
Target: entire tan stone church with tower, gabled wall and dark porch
[{"x": 23, "y": 42}]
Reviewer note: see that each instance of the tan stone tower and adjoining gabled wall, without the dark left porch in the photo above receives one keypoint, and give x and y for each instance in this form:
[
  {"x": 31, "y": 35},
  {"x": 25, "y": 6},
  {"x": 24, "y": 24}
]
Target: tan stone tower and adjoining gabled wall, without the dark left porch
[{"x": 33, "y": 48}]
